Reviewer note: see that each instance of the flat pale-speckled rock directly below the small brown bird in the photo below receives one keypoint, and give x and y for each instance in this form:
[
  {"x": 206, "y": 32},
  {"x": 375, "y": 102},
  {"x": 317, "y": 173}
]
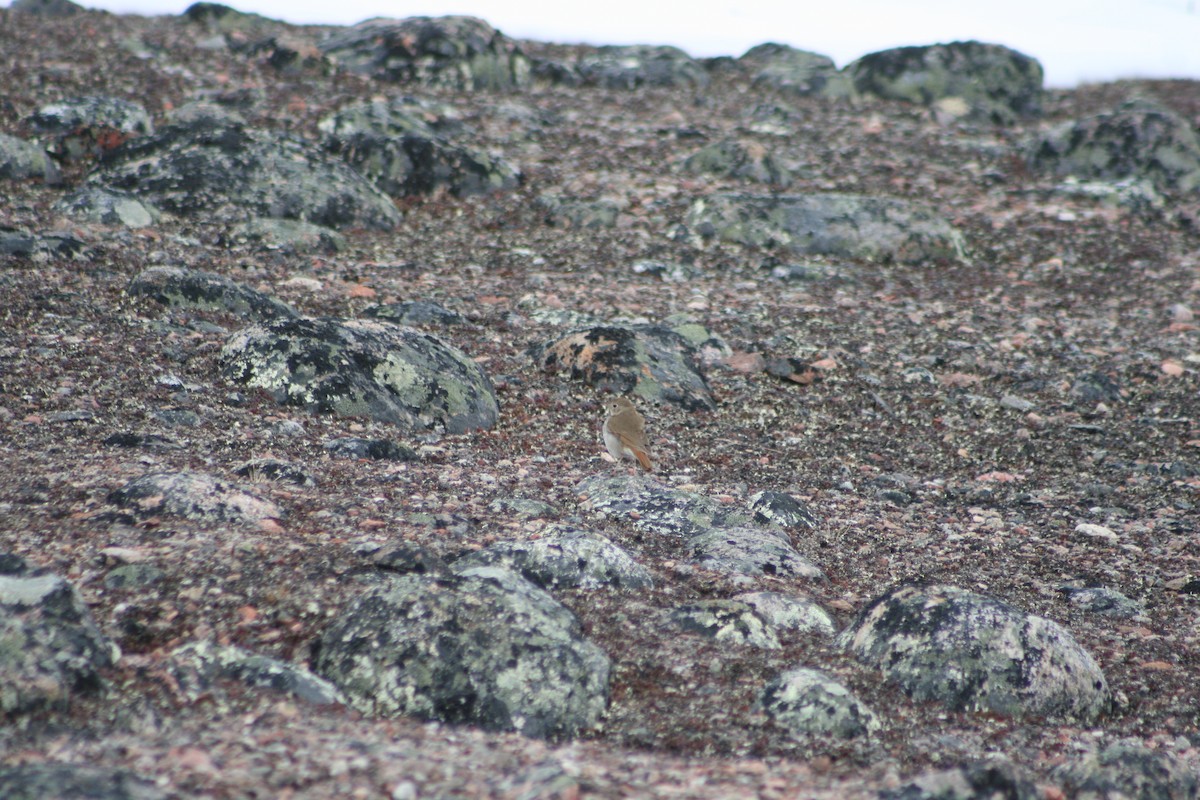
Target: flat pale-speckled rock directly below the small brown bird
[{"x": 658, "y": 509}]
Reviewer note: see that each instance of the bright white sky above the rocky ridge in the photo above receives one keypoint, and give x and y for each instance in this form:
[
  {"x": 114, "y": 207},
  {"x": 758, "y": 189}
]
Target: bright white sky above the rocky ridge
[{"x": 1076, "y": 40}]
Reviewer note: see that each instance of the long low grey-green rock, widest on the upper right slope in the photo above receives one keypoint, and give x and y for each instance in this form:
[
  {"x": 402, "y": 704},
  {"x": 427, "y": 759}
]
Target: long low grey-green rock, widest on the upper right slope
[{"x": 875, "y": 228}]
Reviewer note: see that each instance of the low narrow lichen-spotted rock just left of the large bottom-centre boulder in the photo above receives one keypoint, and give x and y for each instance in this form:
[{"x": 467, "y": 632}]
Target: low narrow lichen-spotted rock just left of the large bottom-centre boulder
[{"x": 200, "y": 665}]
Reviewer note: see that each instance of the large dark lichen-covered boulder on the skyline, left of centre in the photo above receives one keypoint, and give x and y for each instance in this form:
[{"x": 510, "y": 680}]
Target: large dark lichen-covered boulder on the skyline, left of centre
[{"x": 448, "y": 52}]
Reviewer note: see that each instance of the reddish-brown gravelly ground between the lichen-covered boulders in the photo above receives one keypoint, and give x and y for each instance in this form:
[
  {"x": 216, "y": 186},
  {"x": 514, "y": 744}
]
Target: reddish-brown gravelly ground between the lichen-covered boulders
[{"x": 1021, "y": 420}]
